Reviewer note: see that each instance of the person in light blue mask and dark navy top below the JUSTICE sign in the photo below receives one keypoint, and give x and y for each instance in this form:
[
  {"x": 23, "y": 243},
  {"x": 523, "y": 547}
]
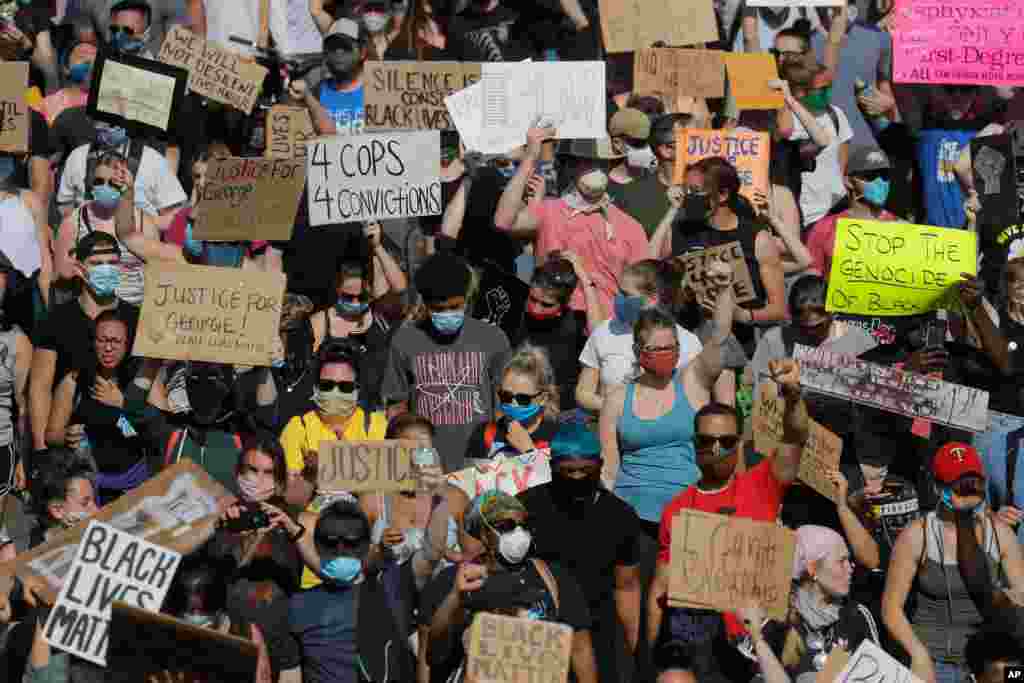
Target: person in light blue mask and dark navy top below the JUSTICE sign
[{"x": 345, "y": 626}]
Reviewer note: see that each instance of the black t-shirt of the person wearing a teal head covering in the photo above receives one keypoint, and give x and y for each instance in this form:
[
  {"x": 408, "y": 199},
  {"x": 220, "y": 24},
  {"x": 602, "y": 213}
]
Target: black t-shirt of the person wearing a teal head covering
[{"x": 589, "y": 541}]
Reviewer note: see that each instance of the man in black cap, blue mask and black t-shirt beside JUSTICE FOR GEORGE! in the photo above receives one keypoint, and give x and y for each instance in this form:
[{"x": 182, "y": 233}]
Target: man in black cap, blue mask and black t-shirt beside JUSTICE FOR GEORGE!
[{"x": 66, "y": 339}]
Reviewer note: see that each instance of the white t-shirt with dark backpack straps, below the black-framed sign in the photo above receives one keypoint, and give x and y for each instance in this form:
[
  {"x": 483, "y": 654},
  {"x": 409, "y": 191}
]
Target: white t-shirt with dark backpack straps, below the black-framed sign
[{"x": 156, "y": 188}]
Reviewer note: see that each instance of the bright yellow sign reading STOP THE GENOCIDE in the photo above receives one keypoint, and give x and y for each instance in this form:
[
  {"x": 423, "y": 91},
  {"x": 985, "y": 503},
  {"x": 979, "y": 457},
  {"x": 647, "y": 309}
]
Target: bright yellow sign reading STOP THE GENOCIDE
[{"x": 890, "y": 269}]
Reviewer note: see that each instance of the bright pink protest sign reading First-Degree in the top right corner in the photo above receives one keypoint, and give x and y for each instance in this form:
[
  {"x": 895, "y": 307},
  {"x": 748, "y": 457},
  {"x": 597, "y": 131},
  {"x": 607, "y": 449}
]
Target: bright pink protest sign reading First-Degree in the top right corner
[{"x": 968, "y": 42}]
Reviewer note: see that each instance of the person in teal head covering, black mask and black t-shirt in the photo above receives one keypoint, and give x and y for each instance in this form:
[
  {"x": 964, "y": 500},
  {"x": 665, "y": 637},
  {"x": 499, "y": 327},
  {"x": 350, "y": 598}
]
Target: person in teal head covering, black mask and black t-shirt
[{"x": 580, "y": 525}]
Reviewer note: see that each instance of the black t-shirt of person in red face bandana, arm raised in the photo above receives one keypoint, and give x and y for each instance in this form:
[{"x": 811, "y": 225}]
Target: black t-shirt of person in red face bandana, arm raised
[{"x": 564, "y": 339}]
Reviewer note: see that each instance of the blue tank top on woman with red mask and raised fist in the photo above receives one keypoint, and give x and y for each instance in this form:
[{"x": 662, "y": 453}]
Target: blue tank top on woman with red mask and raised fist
[{"x": 657, "y": 456}]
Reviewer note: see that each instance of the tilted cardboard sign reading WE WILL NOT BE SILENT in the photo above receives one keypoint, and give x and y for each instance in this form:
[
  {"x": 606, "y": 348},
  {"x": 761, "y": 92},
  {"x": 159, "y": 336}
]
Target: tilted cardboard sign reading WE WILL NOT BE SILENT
[{"x": 224, "y": 76}]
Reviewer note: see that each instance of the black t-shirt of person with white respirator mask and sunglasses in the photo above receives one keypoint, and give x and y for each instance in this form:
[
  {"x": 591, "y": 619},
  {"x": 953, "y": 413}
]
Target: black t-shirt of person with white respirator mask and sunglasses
[{"x": 572, "y": 609}]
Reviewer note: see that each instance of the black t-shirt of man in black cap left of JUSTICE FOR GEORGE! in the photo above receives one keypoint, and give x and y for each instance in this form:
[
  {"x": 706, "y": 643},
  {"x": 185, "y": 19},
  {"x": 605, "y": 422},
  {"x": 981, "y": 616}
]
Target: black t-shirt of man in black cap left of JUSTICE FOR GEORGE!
[{"x": 71, "y": 333}]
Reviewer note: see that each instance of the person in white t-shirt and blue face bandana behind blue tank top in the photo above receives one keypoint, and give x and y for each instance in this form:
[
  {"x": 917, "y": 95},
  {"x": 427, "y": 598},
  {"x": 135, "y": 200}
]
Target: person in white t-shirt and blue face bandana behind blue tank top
[{"x": 609, "y": 359}]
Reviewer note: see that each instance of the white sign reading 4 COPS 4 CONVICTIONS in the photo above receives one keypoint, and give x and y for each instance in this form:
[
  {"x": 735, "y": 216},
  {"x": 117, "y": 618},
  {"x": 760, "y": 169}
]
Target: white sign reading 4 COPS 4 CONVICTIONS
[{"x": 369, "y": 178}]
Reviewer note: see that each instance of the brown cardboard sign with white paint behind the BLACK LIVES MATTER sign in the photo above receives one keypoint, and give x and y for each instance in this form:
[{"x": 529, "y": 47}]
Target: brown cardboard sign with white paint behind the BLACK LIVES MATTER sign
[{"x": 178, "y": 510}]
